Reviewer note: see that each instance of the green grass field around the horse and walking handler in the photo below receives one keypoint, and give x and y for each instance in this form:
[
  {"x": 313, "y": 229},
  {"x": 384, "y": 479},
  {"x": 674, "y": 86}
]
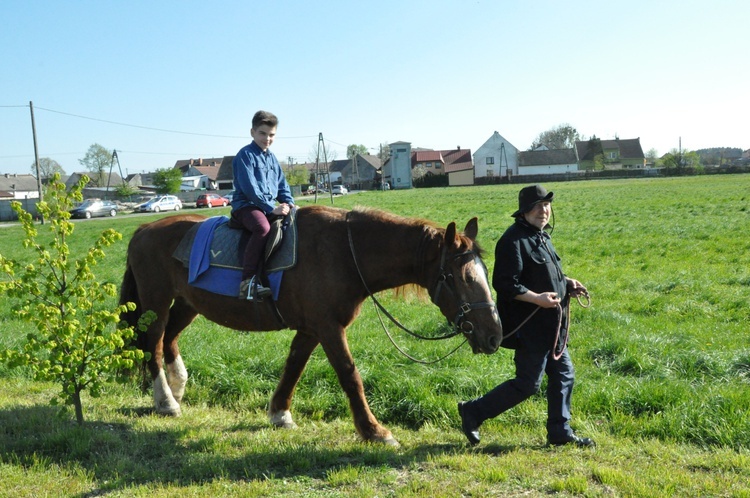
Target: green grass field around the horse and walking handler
[{"x": 662, "y": 359}]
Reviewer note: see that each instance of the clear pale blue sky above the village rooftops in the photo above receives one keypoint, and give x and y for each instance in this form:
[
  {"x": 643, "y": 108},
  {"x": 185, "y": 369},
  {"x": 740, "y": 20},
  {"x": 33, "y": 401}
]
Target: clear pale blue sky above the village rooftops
[{"x": 439, "y": 74}]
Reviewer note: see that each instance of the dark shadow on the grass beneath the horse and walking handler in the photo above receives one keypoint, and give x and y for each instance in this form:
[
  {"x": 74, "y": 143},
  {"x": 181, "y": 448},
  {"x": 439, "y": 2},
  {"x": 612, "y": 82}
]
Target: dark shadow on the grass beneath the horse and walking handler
[{"x": 173, "y": 456}]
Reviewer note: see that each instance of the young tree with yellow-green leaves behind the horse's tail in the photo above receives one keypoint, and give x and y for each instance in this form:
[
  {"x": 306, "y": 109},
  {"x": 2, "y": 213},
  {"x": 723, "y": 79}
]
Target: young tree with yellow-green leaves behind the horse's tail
[{"x": 79, "y": 341}]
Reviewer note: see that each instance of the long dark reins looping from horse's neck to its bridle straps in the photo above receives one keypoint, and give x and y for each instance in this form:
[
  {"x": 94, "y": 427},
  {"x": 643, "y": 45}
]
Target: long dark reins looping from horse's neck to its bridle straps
[{"x": 458, "y": 323}]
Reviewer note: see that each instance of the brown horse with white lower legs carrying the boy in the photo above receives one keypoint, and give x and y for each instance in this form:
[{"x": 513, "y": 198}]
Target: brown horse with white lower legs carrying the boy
[{"x": 342, "y": 256}]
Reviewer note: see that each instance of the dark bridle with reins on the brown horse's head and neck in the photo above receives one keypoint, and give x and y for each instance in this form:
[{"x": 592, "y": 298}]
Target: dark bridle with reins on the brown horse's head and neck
[{"x": 460, "y": 324}]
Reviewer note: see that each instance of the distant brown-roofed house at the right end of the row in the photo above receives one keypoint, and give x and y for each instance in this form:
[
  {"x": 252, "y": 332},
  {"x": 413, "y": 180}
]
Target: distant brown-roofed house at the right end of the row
[{"x": 613, "y": 154}]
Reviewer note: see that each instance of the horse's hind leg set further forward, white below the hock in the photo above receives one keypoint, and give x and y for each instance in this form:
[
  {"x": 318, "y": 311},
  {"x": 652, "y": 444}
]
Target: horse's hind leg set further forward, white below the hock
[{"x": 180, "y": 316}]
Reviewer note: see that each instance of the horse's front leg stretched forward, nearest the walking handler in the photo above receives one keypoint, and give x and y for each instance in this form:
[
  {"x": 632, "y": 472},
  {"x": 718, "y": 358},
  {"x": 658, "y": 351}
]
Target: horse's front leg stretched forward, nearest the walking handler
[{"x": 368, "y": 427}]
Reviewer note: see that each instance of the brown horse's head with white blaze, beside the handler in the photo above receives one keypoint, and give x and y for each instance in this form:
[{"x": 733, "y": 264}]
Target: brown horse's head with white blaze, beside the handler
[{"x": 462, "y": 290}]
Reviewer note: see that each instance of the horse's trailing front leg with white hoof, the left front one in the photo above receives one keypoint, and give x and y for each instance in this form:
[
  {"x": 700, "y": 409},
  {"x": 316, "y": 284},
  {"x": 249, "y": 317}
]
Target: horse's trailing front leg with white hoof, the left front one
[{"x": 299, "y": 353}]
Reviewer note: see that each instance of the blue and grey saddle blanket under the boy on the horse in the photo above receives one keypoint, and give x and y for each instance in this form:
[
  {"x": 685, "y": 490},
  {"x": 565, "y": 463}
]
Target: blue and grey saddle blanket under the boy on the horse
[{"x": 212, "y": 252}]
